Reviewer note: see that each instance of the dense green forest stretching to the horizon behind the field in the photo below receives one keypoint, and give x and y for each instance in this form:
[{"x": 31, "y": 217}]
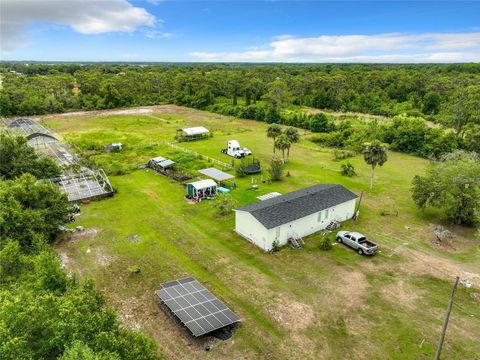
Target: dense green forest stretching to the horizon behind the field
[{"x": 448, "y": 95}]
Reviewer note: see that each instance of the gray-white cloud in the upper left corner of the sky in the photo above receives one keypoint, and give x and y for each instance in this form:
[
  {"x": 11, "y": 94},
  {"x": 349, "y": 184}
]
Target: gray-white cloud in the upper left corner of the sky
[{"x": 85, "y": 17}]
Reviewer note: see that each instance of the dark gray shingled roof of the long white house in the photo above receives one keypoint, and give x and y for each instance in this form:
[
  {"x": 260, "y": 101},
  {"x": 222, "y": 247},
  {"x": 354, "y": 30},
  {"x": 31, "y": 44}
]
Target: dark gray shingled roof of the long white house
[{"x": 298, "y": 204}]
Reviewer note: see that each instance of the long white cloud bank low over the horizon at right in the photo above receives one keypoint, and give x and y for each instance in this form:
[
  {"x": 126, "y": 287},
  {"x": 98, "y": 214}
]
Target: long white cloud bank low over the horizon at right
[{"x": 391, "y": 47}]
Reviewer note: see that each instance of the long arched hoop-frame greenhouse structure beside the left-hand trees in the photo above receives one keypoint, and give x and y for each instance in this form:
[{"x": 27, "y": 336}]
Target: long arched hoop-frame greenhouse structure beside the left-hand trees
[{"x": 81, "y": 184}]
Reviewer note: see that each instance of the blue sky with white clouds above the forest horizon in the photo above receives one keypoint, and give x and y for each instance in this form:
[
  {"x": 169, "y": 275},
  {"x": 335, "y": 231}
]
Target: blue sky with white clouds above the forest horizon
[{"x": 245, "y": 31}]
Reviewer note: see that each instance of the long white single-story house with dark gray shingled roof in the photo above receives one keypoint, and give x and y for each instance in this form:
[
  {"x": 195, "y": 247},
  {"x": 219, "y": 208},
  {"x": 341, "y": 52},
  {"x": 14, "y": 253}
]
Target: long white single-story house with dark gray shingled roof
[{"x": 294, "y": 215}]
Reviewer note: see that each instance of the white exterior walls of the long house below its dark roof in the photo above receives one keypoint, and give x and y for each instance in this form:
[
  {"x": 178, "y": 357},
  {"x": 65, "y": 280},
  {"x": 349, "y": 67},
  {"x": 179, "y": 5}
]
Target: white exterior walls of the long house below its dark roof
[{"x": 250, "y": 228}]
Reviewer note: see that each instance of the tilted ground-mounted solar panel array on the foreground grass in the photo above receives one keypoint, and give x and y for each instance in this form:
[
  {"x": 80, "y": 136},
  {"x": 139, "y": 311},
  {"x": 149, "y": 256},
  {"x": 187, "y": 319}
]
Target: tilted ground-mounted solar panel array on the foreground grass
[{"x": 196, "y": 307}]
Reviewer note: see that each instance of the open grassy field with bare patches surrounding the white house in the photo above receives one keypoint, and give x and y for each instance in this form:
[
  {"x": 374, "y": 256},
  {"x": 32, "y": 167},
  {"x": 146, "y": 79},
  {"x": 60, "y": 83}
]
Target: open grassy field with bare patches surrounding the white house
[{"x": 303, "y": 304}]
